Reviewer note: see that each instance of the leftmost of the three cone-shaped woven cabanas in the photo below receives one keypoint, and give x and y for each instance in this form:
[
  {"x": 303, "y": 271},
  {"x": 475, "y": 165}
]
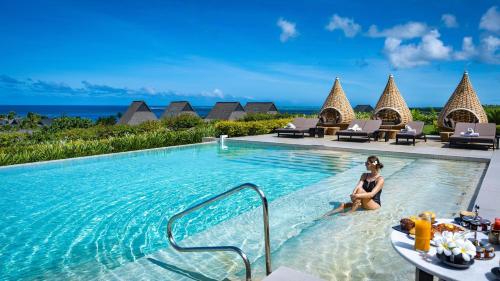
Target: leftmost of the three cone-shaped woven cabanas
[{"x": 336, "y": 109}]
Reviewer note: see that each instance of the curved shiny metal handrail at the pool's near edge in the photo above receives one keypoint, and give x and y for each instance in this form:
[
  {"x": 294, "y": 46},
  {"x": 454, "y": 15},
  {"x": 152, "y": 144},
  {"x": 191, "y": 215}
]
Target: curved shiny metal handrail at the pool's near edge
[{"x": 265, "y": 213}]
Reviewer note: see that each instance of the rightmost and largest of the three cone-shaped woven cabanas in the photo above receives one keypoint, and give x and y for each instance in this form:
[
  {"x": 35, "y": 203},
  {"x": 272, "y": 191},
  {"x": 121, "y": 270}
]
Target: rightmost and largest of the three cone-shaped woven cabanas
[{"x": 463, "y": 106}]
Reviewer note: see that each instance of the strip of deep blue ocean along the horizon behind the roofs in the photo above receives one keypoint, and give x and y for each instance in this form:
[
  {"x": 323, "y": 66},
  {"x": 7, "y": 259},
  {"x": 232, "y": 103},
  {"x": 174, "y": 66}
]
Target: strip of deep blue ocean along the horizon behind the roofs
[{"x": 95, "y": 111}]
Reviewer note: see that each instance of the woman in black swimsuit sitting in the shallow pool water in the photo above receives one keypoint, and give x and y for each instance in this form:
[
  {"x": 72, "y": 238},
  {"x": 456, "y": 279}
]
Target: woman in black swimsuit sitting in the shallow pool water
[{"x": 367, "y": 192}]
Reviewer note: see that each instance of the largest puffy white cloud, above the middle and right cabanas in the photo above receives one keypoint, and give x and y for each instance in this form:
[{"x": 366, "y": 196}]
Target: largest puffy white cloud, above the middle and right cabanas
[{"x": 410, "y": 55}]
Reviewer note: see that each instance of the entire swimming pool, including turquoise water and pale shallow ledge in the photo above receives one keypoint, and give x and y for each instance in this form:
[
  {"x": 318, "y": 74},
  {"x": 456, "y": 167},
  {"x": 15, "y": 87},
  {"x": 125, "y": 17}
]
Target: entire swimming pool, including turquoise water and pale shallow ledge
[{"x": 105, "y": 217}]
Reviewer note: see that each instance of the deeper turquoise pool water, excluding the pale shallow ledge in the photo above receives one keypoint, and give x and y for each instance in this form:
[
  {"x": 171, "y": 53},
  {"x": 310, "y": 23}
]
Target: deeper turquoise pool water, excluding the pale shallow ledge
[{"x": 70, "y": 218}]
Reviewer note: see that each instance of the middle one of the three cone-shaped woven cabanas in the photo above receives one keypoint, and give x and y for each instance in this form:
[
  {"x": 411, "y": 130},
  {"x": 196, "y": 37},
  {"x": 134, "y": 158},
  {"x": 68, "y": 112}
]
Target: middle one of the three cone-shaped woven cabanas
[{"x": 391, "y": 108}]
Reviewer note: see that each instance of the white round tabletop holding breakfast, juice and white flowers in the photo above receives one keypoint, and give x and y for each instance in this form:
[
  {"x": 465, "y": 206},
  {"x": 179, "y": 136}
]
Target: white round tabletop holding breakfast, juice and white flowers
[{"x": 428, "y": 265}]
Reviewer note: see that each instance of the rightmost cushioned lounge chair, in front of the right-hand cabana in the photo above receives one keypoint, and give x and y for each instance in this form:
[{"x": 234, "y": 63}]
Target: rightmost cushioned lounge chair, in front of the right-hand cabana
[{"x": 486, "y": 133}]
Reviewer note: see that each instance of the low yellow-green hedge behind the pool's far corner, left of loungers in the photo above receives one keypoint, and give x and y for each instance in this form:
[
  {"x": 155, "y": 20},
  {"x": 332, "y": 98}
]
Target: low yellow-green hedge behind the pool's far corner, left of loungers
[{"x": 237, "y": 129}]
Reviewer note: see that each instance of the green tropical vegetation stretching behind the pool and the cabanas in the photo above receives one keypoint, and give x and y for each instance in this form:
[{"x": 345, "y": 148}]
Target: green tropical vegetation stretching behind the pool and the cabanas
[{"x": 67, "y": 137}]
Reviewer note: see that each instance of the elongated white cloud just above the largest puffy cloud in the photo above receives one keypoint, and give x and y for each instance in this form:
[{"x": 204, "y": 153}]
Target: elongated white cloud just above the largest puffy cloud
[{"x": 402, "y": 31}]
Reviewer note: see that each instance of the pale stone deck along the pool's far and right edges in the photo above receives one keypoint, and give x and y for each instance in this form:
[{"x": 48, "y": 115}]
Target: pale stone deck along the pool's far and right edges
[{"x": 488, "y": 194}]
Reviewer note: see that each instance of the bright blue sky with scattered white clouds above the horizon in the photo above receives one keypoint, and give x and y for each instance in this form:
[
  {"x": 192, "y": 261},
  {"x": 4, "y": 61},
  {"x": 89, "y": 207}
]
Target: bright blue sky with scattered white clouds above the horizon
[{"x": 112, "y": 52}]
